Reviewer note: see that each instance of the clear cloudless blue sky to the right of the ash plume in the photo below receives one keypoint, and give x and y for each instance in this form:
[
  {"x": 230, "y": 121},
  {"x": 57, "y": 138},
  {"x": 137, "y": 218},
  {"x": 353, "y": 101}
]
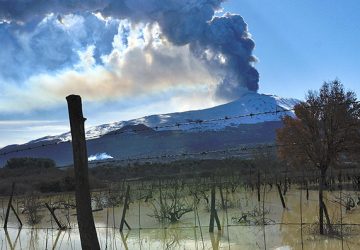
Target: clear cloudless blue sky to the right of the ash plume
[{"x": 302, "y": 43}]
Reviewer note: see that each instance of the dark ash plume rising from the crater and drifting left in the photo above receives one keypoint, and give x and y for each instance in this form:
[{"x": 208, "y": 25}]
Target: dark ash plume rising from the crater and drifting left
[{"x": 223, "y": 43}]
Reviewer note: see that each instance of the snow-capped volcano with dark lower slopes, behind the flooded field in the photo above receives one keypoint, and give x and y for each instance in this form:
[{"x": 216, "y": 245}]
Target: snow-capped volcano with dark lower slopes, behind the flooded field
[{"x": 221, "y": 127}]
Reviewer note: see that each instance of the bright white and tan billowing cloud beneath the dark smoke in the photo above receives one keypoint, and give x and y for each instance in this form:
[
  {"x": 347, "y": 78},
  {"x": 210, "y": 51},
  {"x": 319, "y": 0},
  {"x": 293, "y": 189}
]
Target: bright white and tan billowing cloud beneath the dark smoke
[{"x": 147, "y": 66}]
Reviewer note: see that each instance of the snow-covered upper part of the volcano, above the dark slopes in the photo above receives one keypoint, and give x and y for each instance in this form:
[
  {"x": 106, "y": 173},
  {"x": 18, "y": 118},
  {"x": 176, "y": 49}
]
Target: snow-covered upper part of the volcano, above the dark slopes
[{"x": 251, "y": 108}]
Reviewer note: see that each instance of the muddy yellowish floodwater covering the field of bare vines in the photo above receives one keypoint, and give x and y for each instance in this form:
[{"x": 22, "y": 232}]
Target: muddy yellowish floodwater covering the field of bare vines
[{"x": 241, "y": 220}]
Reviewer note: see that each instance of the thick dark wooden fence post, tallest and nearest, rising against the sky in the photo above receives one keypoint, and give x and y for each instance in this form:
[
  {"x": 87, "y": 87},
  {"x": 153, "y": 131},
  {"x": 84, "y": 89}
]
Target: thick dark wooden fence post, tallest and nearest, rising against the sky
[{"x": 87, "y": 230}]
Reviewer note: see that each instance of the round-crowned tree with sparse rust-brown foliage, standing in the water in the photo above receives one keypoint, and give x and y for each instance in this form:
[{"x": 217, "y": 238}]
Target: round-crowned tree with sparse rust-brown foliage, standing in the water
[{"x": 326, "y": 131}]
